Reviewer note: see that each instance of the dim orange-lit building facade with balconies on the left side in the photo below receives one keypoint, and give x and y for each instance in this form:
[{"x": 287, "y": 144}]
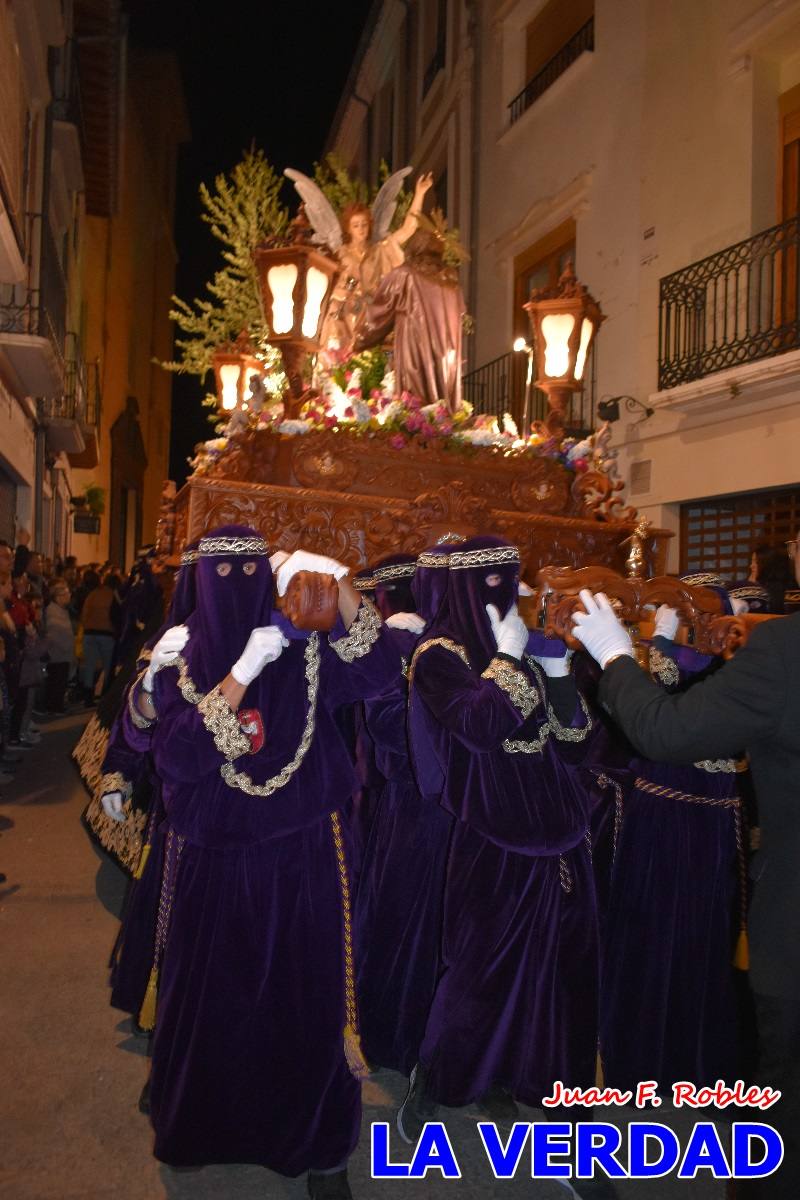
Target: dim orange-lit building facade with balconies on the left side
[{"x": 89, "y": 133}]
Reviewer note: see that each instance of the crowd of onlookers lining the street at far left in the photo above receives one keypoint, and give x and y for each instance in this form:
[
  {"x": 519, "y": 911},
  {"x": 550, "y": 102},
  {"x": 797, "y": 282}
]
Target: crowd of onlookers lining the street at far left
[{"x": 59, "y": 628}]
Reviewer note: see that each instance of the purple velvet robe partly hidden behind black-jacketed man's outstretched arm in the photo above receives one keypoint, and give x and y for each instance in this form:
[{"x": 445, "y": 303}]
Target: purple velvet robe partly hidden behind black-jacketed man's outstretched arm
[{"x": 667, "y": 997}]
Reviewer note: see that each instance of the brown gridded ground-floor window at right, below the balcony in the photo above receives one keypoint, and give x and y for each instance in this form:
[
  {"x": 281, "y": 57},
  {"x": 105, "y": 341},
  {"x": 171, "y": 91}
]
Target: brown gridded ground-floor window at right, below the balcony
[{"x": 721, "y": 535}]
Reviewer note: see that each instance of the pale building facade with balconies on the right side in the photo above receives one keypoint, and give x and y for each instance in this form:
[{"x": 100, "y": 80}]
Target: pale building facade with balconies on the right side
[{"x": 659, "y": 148}]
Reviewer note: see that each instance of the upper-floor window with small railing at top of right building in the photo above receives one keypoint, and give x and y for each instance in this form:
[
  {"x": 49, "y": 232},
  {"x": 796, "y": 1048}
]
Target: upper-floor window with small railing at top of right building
[{"x": 555, "y": 39}]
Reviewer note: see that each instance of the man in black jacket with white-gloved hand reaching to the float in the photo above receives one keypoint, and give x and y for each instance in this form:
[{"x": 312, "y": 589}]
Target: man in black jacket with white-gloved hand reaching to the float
[{"x": 753, "y": 704}]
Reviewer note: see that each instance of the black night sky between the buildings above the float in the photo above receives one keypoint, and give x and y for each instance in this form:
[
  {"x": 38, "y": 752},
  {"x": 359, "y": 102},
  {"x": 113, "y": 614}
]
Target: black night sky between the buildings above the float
[{"x": 272, "y": 74}]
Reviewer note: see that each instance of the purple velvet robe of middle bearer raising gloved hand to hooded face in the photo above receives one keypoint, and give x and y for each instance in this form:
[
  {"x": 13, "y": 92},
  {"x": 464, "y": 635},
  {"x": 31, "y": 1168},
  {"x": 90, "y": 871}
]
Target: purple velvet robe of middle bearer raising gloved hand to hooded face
[{"x": 516, "y": 1005}]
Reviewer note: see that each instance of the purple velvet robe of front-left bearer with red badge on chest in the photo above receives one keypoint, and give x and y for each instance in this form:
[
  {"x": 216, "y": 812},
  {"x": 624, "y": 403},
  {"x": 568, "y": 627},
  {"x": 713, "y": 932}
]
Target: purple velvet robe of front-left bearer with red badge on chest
[{"x": 248, "y": 1061}]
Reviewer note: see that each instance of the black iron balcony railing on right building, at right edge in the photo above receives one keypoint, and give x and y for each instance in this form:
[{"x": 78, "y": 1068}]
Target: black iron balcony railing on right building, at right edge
[{"x": 736, "y": 307}]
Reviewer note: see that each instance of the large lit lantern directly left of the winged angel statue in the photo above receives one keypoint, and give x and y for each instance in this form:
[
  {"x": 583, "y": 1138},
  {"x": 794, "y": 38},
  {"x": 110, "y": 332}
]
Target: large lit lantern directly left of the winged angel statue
[{"x": 297, "y": 283}]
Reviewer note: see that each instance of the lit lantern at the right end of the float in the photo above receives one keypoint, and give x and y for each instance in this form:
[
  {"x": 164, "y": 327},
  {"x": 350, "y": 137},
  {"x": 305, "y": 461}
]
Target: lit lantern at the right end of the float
[{"x": 564, "y": 321}]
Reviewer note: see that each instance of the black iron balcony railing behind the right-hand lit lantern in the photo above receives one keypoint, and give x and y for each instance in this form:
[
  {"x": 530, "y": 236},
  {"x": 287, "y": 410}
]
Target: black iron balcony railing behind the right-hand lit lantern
[{"x": 500, "y": 387}]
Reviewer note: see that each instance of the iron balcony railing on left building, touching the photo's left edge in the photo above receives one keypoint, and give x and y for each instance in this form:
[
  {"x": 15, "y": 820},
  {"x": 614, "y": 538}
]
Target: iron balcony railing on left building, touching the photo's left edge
[{"x": 39, "y": 304}]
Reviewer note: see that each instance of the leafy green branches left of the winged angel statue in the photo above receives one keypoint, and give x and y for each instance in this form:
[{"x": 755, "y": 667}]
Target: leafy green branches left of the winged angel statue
[{"x": 243, "y": 211}]
